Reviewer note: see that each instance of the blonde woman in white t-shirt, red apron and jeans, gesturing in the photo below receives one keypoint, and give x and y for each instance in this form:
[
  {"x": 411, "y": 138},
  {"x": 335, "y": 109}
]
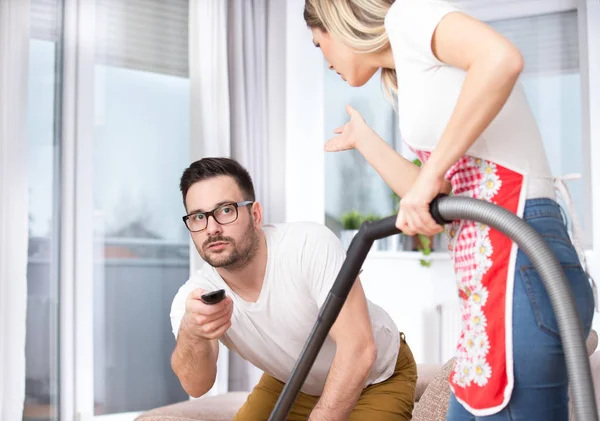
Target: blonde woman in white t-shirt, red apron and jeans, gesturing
[{"x": 462, "y": 111}]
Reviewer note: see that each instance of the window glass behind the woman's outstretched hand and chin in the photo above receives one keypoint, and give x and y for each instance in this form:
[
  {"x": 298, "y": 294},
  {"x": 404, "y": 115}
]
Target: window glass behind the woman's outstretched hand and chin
[{"x": 367, "y": 193}]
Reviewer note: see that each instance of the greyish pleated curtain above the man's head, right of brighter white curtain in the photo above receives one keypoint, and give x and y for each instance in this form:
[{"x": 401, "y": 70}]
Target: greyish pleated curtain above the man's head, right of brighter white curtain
[{"x": 253, "y": 142}]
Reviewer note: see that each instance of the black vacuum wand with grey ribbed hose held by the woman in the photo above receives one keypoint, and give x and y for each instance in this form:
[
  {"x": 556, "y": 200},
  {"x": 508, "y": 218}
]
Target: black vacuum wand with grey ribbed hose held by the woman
[{"x": 444, "y": 210}]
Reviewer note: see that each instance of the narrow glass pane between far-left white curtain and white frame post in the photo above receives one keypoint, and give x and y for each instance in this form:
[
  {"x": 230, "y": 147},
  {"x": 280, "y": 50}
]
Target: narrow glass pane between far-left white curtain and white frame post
[{"x": 41, "y": 350}]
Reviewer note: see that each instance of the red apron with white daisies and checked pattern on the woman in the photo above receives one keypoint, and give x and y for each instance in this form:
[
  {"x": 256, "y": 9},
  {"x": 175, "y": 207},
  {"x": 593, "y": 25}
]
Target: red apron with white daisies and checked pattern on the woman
[{"x": 484, "y": 262}]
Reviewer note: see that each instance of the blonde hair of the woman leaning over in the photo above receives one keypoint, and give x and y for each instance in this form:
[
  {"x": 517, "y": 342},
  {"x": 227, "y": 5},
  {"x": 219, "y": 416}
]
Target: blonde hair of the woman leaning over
[{"x": 360, "y": 24}]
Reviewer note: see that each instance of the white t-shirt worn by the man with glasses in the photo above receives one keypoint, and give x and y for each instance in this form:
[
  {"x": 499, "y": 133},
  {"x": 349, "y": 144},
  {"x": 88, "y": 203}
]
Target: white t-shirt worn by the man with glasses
[{"x": 303, "y": 262}]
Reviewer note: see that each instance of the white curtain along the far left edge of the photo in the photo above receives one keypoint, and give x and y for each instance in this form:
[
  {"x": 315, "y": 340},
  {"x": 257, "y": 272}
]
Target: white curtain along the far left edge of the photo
[{"x": 14, "y": 50}]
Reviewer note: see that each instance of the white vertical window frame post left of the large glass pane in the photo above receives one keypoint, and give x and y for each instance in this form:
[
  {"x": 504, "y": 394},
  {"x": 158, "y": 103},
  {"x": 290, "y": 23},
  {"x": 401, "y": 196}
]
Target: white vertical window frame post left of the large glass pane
[{"x": 78, "y": 46}]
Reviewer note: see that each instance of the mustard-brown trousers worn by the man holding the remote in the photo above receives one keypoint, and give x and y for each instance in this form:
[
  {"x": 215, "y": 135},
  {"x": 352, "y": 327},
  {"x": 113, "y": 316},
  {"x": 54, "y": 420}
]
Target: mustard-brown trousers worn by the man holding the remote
[{"x": 392, "y": 399}]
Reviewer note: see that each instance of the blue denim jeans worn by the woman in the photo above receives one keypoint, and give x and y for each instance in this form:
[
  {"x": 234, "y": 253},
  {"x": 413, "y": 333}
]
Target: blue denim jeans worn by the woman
[{"x": 541, "y": 384}]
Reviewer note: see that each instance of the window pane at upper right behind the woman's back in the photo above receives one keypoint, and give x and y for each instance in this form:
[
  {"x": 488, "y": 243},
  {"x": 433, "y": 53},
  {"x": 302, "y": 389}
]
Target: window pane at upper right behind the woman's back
[{"x": 552, "y": 82}]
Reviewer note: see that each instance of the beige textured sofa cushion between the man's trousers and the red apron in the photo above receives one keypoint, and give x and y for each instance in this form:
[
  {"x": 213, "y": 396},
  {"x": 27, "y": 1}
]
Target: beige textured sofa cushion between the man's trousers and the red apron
[{"x": 433, "y": 404}]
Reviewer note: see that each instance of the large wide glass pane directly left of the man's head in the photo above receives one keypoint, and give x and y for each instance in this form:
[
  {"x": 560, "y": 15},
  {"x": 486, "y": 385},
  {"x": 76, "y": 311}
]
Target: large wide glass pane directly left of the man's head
[{"x": 141, "y": 147}]
